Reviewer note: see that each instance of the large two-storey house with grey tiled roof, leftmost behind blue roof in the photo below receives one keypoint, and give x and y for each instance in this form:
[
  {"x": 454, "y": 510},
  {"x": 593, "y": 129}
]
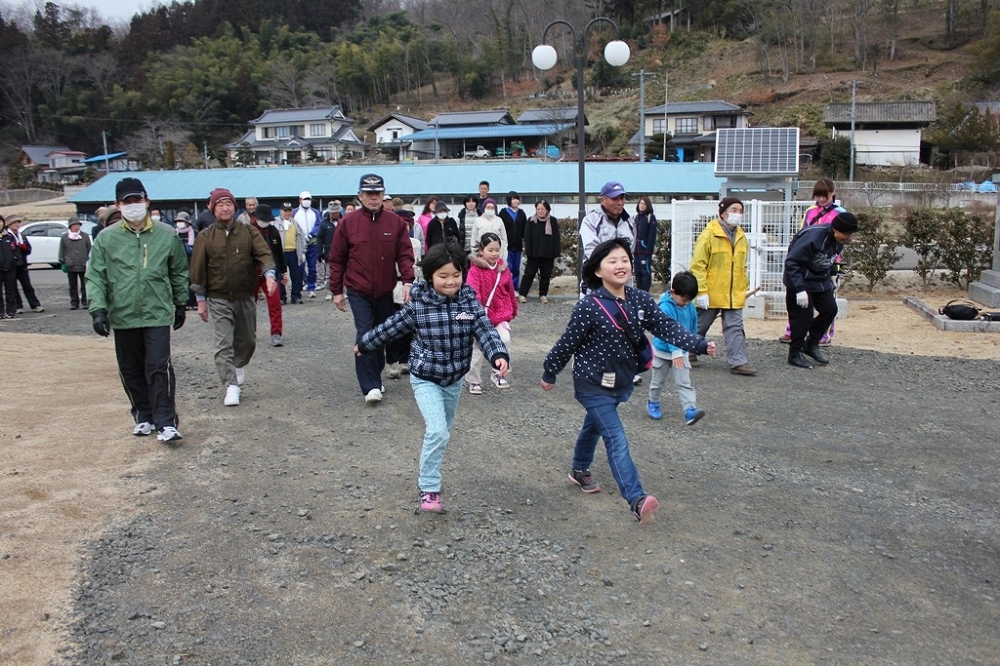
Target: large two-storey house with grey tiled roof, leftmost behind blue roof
[{"x": 296, "y": 136}]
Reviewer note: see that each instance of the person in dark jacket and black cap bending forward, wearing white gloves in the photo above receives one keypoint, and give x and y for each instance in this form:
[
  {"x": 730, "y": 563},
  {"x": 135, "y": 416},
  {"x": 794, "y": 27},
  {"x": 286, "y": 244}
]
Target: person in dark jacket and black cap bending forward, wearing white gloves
[{"x": 808, "y": 280}]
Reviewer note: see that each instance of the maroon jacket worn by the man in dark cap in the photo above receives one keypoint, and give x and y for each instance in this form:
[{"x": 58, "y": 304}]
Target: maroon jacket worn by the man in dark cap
[{"x": 365, "y": 252}]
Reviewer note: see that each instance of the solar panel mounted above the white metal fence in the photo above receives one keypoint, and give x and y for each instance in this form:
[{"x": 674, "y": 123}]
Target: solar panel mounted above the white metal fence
[{"x": 761, "y": 150}]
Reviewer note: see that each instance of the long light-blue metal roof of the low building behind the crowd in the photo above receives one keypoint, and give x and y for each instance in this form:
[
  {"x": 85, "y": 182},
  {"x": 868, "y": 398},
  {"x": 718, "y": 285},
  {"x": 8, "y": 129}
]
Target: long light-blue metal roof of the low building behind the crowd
[{"x": 453, "y": 180}]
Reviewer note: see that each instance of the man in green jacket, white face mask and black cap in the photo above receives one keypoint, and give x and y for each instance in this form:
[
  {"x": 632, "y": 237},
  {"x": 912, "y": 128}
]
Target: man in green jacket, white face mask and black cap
[{"x": 137, "y": 280}]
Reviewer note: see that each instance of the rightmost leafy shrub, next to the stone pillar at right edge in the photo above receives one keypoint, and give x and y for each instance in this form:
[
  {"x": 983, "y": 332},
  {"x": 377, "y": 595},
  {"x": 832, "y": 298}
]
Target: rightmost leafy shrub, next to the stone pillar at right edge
[{"x": 965, "y": 246}]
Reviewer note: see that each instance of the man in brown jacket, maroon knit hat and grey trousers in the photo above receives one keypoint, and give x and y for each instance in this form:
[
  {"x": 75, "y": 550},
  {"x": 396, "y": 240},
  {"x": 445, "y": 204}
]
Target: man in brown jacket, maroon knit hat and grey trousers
[{"x": 224, "y": 268}]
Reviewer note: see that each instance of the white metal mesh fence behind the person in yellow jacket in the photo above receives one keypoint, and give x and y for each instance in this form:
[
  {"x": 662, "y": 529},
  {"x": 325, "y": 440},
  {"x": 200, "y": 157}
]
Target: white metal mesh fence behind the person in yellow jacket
[{"x": 769, "y": 227}]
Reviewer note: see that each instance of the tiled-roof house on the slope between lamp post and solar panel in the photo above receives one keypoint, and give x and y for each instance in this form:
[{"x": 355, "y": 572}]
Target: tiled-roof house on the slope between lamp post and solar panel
[{"x": 692, "y": 126}]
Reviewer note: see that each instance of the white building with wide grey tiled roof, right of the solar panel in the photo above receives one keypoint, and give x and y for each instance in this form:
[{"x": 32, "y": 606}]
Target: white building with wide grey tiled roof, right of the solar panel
[{"x": 886, "y": 133}]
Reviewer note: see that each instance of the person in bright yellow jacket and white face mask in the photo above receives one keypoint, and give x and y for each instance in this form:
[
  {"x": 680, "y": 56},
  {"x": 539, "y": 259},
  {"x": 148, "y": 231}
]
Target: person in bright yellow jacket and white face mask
[{"x": 720, "y": 264}]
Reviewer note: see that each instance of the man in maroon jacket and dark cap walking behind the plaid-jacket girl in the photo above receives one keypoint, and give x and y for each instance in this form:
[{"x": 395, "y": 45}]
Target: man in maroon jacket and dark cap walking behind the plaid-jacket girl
[{"x": 367, "y": 247}]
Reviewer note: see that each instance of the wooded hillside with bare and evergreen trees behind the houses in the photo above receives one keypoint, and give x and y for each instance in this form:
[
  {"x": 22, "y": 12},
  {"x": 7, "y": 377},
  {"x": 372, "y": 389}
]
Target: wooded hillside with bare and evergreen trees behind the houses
[{"x": 193, "y": 73}]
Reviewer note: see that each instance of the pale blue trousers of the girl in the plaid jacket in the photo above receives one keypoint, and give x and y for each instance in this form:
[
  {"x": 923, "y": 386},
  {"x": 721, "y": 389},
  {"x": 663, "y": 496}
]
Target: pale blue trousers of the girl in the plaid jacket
[{"x": 437, "y": 405}]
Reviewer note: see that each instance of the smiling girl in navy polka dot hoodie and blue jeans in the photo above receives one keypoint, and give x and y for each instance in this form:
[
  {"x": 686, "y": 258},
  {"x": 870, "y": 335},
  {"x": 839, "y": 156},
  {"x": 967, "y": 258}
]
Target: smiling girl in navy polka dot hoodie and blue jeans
[{"x": 605, "y": 364}]
